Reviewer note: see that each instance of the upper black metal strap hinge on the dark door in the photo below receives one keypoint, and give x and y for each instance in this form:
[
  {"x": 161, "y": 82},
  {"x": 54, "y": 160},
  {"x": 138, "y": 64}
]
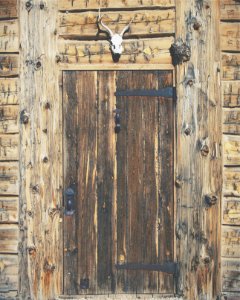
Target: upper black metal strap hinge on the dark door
[{"x": 167, "y": 92}]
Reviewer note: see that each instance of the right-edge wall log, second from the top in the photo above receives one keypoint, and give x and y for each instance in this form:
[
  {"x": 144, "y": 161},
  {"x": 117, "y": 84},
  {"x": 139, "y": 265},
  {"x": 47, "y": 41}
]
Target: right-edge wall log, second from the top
[{"x": 230, "y": 36}]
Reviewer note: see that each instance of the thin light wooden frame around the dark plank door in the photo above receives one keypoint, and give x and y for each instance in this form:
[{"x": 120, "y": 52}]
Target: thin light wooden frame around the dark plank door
[{"x": 121, "y": 67}]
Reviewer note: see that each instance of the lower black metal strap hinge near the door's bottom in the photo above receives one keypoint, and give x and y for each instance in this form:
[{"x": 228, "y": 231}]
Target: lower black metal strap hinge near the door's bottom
[{"x": 166, "y": 267}]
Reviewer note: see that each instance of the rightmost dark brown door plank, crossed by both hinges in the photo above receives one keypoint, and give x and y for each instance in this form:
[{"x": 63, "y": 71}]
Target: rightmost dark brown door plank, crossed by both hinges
[{"x": 165, "y": 192}]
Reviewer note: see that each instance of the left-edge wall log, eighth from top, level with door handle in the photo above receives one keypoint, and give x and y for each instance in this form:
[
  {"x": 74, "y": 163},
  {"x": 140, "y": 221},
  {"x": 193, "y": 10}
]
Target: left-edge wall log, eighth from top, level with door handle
[{"x": 8, "y": 209}]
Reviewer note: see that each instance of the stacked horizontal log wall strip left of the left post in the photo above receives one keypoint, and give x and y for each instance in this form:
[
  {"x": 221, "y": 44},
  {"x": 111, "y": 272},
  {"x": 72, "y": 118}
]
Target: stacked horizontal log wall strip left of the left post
[{"x": 9, "y": 149}]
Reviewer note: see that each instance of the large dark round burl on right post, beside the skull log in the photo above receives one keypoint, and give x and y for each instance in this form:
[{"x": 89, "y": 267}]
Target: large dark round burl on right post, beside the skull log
[{"x": 180, "y": 52}]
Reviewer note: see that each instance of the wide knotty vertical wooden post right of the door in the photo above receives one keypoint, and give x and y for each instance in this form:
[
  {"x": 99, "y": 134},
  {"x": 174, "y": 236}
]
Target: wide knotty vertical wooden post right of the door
[{"x": 198, "y": 120}]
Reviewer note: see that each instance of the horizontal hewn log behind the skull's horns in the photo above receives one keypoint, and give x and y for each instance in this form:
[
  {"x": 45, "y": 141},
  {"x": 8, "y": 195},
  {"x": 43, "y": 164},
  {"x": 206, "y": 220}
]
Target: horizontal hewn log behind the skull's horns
[{"x": 145, "y": 22}]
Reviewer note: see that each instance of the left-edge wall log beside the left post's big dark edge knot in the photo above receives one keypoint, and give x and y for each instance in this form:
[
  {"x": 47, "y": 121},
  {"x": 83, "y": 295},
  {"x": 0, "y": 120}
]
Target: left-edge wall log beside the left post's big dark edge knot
[{"x": 9, "y": 119}]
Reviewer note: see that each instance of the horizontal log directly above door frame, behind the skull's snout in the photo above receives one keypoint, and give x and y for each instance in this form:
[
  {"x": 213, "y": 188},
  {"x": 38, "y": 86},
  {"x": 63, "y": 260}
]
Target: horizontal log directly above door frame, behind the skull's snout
[{"x": 135, "y": 51}]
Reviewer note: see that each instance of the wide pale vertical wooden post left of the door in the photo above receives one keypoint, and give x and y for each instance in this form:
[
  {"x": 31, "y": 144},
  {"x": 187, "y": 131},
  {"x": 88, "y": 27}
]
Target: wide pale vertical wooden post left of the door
[{"x": 40, "y": 272}]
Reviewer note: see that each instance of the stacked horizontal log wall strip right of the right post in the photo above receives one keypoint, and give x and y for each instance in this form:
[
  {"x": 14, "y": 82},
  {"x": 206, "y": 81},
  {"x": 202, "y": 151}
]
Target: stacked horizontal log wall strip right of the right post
[{"x": 230, "y": 81}]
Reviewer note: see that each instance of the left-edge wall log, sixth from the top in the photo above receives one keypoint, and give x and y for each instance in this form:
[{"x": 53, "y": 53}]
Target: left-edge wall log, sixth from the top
[{"x": 9, "y": 149}]
